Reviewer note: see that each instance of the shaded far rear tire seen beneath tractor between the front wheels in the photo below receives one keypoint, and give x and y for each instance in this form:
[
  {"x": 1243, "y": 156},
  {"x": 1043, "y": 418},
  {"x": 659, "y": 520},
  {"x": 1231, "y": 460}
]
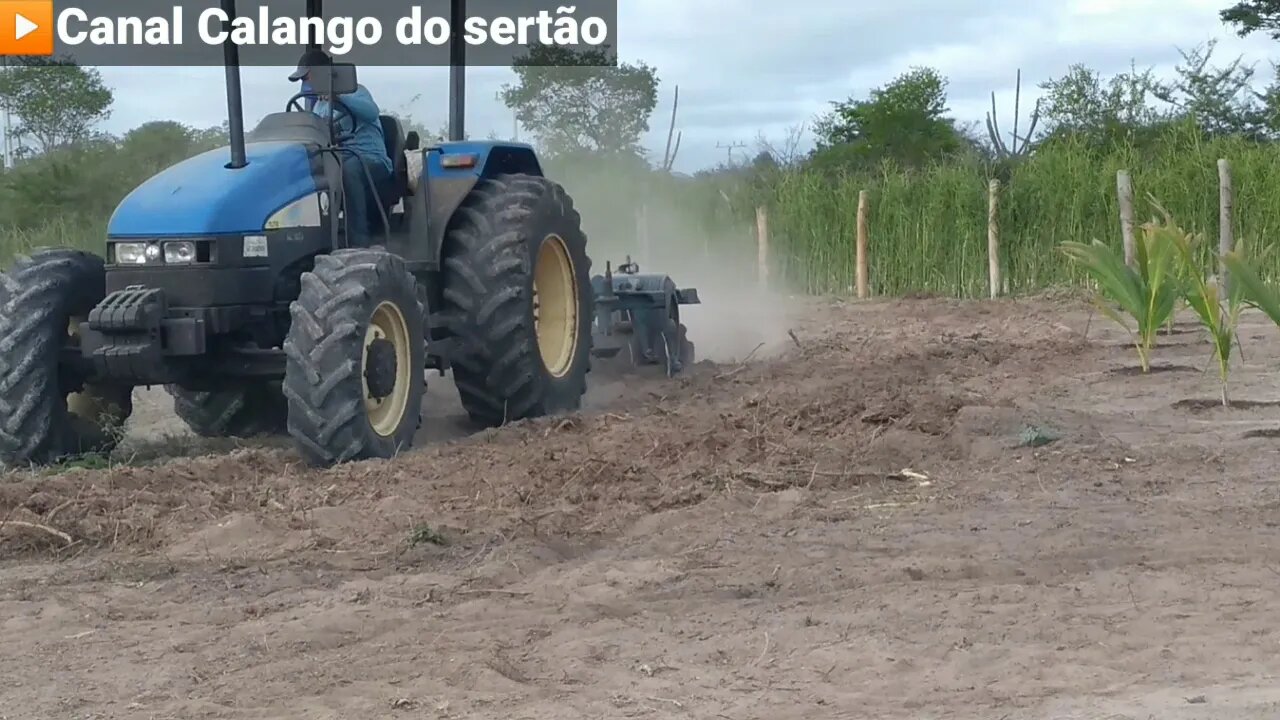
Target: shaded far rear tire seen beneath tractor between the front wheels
[{"x": 248, "y": 411}]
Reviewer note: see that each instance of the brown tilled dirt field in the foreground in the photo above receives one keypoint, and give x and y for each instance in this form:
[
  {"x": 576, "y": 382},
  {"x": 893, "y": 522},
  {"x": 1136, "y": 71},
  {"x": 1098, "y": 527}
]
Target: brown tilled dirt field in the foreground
[{"x": 851, "y": 525}]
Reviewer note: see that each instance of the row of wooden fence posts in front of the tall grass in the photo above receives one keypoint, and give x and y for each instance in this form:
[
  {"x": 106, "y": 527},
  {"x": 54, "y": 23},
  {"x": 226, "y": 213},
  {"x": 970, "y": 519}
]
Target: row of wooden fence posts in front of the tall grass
[{"x": 998, "y": 284}]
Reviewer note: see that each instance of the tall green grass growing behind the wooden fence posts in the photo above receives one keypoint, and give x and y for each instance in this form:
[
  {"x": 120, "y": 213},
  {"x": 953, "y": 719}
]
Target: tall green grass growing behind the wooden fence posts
[{"x": 929, "y": 227}]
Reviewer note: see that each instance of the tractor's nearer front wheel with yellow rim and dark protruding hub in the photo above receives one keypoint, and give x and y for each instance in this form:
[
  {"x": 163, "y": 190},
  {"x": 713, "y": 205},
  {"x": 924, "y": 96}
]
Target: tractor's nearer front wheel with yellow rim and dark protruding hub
[{"x": 355, "y": 359}]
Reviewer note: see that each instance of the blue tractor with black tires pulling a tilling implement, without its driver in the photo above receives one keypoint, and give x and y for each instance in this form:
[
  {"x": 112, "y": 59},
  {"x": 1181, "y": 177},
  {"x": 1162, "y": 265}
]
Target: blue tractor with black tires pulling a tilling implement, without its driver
[{"x": 228, "y": 281}]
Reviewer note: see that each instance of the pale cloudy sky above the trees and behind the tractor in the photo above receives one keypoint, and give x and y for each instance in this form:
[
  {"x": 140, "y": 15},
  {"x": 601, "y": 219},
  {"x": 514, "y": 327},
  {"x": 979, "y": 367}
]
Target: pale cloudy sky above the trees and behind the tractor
[{"x": 744, "y": 72}]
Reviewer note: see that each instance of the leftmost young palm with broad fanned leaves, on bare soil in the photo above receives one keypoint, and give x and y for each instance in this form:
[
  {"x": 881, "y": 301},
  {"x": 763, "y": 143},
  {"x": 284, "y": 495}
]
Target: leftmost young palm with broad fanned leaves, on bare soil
[{"x": 1149, "y": 294}]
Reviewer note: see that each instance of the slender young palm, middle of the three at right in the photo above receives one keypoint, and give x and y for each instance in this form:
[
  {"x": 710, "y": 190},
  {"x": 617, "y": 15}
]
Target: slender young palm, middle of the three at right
[{"x": 1219, "y": 316}]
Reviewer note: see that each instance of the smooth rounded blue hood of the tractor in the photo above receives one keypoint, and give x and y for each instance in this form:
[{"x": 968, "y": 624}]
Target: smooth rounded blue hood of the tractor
[{"x": 202, "y": 197}]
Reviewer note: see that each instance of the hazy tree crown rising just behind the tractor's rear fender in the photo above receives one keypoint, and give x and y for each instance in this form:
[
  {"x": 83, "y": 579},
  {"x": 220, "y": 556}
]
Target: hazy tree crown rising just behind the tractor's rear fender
[{"x": 575, "y": 102}]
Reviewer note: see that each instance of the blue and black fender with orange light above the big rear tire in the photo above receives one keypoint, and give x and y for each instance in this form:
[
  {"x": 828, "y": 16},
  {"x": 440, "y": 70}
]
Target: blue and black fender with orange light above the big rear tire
[{"x": 447, "y": 175}]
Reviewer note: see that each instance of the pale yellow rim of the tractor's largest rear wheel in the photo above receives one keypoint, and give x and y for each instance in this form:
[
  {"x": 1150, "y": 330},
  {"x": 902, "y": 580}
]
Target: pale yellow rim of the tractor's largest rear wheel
[{"x": 556, "y": 306}]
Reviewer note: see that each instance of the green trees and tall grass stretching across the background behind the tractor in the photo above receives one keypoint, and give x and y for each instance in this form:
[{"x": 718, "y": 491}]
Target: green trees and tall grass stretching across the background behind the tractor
[{"x": 926, "y": 172}]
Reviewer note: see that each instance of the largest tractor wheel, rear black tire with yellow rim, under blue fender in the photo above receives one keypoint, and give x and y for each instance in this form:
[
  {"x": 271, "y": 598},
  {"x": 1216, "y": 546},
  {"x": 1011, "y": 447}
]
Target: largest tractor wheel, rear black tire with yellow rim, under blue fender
[{"x": 518, "y": 298}]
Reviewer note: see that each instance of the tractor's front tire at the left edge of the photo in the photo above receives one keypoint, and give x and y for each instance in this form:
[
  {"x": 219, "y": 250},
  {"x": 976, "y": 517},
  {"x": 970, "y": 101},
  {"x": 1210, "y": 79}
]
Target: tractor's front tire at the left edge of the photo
[{"x": 48, "y": 411}]
